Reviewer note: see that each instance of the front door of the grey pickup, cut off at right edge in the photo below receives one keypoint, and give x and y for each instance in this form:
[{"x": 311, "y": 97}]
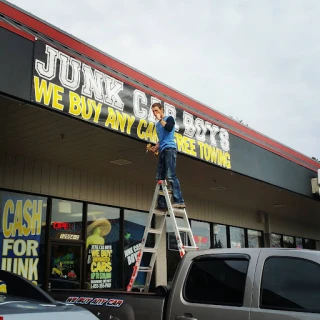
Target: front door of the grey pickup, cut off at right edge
[{"x": 287, "y": 286}]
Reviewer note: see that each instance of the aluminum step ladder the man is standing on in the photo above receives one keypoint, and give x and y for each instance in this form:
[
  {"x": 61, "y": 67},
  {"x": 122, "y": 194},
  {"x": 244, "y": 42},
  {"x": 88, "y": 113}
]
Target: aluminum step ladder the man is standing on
[{"x": 161, "y": 189}]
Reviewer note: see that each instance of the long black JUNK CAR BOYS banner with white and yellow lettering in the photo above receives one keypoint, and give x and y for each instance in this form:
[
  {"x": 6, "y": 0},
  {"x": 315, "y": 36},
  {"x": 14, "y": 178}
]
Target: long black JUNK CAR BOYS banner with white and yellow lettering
[{"x": 67, "y": 85}]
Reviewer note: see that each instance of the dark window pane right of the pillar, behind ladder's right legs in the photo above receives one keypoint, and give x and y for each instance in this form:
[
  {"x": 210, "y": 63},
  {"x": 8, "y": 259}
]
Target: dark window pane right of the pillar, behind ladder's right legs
[{"x": 173, "y": 256}]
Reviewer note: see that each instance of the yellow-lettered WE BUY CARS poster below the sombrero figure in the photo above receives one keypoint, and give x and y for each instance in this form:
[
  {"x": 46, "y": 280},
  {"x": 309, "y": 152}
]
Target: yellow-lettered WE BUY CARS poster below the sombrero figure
[{"x": 101, "y": 266}]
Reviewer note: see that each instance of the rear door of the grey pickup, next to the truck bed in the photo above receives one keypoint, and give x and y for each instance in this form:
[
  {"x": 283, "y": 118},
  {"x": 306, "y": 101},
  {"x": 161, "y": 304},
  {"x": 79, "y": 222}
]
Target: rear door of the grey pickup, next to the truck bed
[{"x": 216, "y": 287}]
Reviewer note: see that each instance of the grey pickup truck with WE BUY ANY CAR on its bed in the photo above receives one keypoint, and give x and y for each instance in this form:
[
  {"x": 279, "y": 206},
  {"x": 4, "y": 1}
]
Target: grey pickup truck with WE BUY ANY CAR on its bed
[{"x": 220, "y": 284}]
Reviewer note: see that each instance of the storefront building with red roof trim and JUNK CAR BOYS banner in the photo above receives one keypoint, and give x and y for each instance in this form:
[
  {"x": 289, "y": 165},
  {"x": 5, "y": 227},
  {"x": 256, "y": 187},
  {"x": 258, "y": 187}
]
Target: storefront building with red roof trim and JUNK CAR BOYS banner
[{"x": 76, "y": 183}]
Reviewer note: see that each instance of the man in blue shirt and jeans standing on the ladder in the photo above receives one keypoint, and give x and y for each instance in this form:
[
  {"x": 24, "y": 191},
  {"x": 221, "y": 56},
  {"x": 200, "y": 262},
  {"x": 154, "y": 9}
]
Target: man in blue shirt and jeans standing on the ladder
[{"x": 167, "y": 157}]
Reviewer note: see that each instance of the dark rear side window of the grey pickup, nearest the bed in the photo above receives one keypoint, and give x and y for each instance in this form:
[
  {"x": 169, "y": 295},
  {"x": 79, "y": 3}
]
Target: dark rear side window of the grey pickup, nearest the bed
[{"x": 219, "y": 281}]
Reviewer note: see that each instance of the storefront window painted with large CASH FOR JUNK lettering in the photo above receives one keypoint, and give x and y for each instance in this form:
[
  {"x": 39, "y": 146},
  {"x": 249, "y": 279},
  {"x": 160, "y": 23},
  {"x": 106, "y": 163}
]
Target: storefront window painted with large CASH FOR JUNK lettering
[{"x": 22, "y": 235}]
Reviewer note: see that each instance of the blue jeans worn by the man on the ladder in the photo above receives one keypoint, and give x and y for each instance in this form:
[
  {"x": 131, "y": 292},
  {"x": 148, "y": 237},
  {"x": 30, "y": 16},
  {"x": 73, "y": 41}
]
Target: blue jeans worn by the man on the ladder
[{"x": 167, "y": 168}]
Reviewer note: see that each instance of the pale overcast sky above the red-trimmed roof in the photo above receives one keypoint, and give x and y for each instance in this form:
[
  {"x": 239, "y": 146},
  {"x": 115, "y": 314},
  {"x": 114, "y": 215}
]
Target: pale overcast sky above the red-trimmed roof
[{"x": 255, "y": 60}]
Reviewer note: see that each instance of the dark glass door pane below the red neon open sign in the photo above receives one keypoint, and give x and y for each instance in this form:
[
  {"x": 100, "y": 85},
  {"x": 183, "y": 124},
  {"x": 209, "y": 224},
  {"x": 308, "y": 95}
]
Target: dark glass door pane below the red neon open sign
[{"x": 65, "y": 266}]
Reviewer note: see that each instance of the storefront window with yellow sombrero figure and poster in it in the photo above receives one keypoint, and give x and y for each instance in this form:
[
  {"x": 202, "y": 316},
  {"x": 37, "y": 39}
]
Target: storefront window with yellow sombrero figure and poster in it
[{"x": 104, "y": 269}]
